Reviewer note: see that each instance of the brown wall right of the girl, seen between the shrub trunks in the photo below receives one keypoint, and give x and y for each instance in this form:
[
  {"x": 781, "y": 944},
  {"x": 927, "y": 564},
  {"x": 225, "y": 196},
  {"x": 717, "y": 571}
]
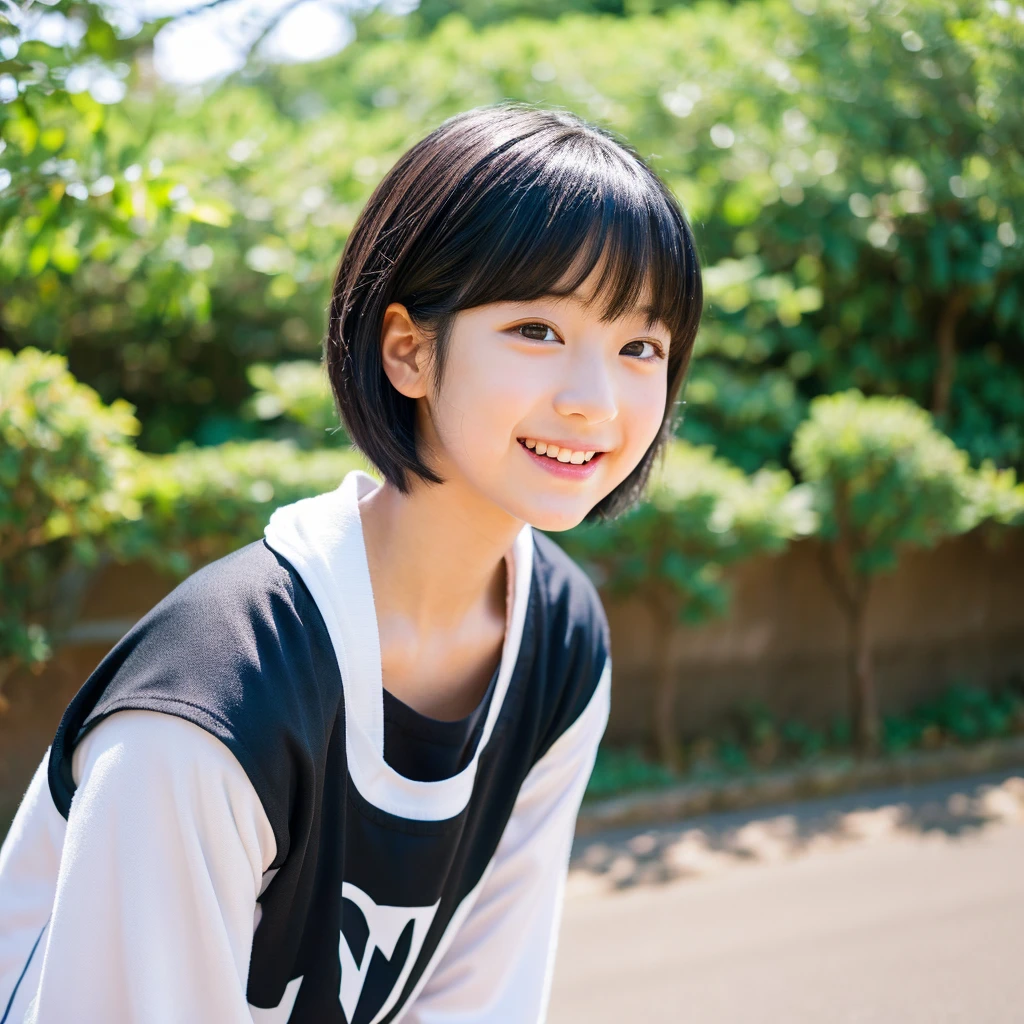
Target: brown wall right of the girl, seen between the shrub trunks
[{"x": 955, "y": 613}]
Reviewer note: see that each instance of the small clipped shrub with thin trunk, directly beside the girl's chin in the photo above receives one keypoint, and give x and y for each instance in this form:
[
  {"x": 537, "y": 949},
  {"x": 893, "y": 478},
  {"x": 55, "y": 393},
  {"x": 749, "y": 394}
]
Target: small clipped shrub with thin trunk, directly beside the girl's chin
[{"x": 701, "y": 516}]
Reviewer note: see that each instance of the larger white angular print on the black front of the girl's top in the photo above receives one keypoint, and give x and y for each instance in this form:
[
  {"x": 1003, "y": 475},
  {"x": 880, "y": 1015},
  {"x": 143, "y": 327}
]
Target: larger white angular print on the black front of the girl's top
[{"x": 381, "y": 928}]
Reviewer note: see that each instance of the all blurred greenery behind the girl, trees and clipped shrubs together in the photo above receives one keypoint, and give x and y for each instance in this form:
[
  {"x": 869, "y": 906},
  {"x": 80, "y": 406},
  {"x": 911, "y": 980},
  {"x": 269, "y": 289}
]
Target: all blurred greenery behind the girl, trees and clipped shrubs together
[{"x": 854, "y": 169}]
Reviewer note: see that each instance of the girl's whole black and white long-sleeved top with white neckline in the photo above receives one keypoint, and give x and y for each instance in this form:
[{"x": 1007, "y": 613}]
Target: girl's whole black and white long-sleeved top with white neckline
[{"x": 232, "y": 846}]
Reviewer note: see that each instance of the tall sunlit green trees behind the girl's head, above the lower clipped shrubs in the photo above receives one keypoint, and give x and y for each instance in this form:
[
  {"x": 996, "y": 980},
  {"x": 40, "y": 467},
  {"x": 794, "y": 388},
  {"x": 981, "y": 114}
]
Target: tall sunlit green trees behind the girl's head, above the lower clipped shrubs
[{"x": 855, "y": 176}]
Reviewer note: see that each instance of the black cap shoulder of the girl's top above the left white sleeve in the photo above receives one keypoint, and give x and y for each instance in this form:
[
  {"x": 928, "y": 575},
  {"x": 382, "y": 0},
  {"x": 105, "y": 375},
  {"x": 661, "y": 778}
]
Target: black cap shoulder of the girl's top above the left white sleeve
[{"x": 240, "y": 650}]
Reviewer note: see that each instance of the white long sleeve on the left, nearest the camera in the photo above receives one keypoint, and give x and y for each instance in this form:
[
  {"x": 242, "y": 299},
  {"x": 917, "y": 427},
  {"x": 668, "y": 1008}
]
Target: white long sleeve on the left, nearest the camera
[{"x": 162, "y": 865}]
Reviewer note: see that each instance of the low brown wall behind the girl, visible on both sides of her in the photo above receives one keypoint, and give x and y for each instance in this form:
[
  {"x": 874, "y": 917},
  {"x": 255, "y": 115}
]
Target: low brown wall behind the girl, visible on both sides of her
[{"x": 955, "y": 613}]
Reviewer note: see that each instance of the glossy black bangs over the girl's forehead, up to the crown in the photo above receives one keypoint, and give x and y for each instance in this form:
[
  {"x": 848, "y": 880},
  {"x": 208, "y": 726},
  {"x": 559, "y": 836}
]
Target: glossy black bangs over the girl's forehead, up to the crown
[{"x": 539, "y": 222}]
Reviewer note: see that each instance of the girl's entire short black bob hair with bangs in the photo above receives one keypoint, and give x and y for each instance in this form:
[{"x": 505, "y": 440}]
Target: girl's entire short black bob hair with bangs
[{"x": 499, "y": 204}]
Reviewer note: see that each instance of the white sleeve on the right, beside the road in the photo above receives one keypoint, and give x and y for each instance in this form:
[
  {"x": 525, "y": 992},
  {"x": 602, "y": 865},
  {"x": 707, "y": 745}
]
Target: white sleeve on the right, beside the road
[{"x": 500, "y": 964}]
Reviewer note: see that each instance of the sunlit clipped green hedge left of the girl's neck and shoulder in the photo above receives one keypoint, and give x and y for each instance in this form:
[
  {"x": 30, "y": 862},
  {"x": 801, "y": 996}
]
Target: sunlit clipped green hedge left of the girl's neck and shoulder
[{"x": 75, "y": 495}]
